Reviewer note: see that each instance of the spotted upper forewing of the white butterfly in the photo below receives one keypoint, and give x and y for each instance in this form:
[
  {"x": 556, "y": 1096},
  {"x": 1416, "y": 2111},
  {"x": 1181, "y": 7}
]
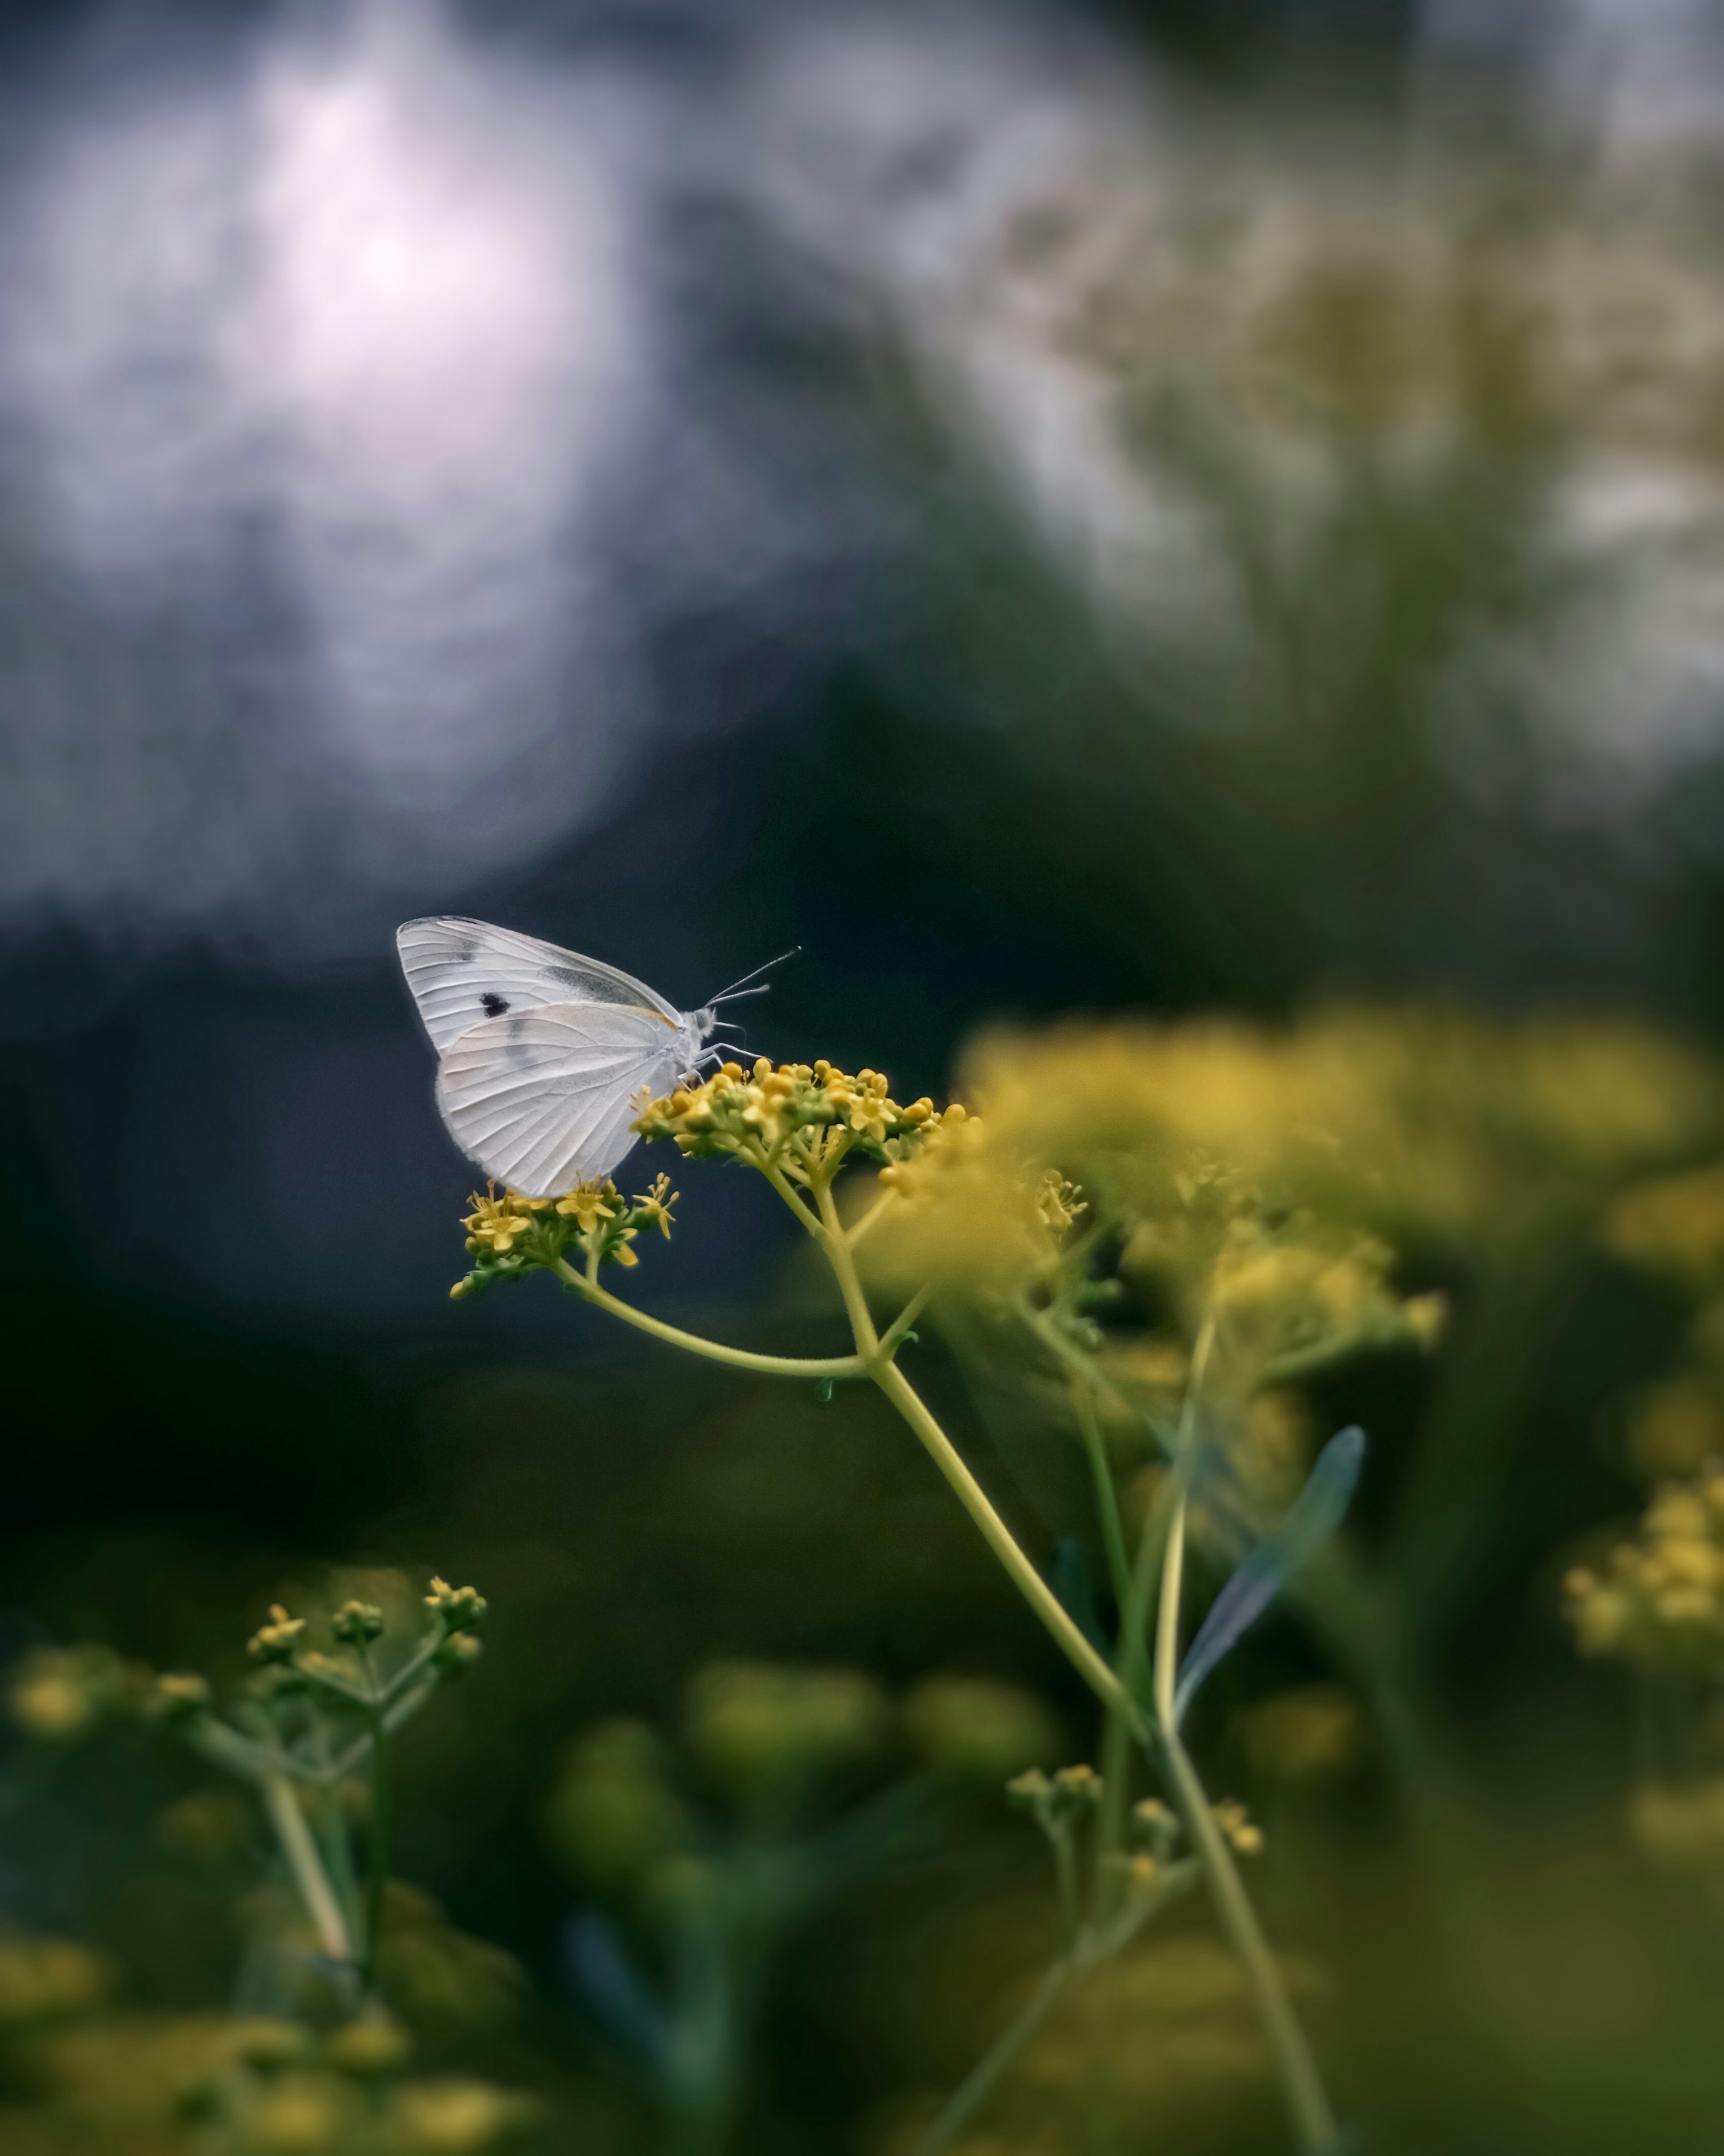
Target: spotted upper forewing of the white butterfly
[{"x": 469, "y": 971}]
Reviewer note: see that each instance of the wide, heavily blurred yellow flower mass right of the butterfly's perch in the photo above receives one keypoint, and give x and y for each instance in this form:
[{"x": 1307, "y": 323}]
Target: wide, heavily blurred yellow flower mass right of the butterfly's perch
[{"x": 1413, "y": 1122}]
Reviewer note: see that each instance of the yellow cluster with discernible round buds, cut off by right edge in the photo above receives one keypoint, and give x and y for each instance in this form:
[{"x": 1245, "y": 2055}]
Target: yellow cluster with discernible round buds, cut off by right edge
[{"x": 1658, "y": 1601}]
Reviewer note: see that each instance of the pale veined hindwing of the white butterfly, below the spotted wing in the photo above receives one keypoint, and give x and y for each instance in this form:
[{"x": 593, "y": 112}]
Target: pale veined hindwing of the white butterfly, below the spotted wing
[{"x": 544, "y": 1101}]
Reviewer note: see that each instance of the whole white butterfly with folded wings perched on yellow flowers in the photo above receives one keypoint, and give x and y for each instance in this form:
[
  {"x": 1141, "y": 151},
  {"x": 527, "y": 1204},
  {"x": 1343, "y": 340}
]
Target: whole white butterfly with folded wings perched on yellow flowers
[{"x": 542, "y": 1053}]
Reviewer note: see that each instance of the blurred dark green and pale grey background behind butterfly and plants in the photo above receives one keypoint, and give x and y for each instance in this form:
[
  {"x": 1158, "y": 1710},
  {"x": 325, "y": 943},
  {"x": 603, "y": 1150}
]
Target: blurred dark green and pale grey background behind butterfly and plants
[{"x": 1048, "y": 512}]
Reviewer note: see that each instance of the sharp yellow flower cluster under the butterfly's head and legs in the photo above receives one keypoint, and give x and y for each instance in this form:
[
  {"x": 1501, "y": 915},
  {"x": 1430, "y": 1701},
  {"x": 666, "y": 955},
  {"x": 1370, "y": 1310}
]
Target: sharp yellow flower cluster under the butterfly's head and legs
[{"x": 801, "y": 1118}]
